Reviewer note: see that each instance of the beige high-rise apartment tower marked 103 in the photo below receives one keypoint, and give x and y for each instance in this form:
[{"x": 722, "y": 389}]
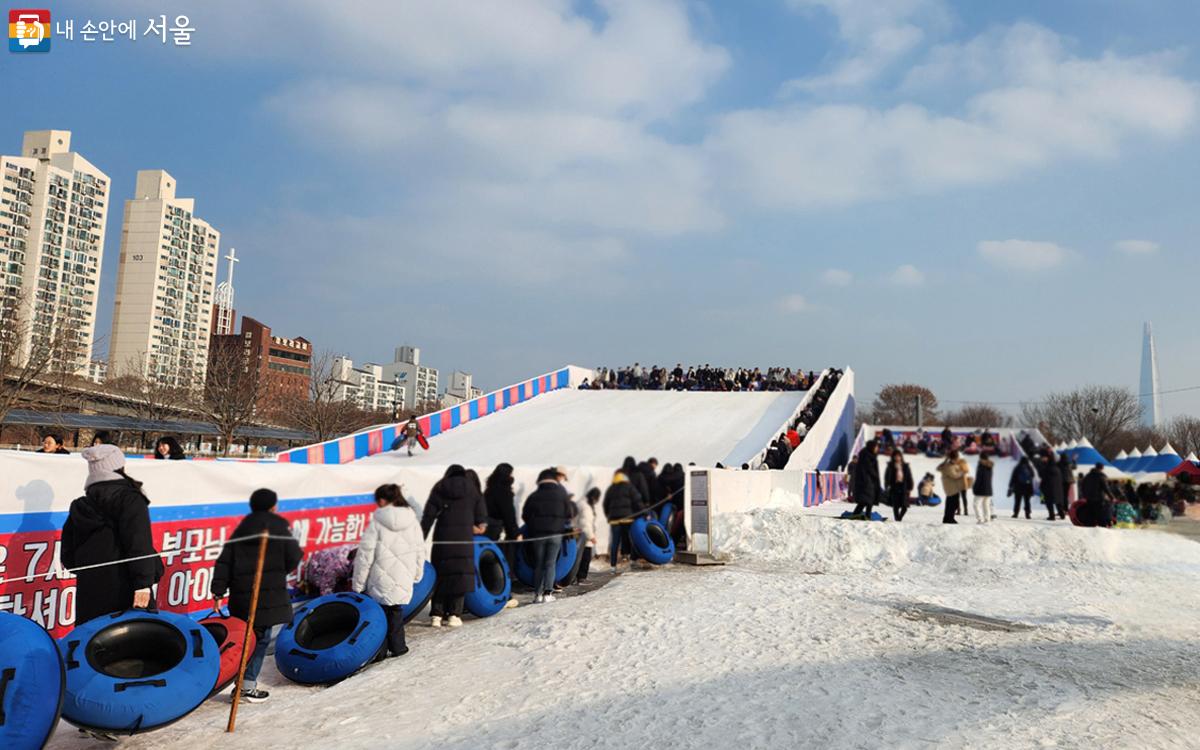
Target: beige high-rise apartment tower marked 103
[{"x": 165, "y": 286}]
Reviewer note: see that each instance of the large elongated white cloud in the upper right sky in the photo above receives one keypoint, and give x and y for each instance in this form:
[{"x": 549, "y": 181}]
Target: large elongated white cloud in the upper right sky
[{"x": 1040, "y": 106}]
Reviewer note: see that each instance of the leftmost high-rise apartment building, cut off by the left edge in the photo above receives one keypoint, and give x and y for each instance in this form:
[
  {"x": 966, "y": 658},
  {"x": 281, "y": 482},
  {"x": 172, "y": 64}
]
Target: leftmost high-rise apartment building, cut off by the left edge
[{"x": 53, "y": 209}]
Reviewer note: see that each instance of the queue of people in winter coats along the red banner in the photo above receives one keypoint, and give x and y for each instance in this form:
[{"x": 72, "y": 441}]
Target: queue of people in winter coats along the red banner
[{"x": 107, "y": 542}]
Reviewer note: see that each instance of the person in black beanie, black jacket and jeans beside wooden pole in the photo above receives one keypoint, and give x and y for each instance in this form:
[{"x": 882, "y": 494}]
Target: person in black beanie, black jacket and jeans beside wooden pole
[{"x": 235, "y": 574}]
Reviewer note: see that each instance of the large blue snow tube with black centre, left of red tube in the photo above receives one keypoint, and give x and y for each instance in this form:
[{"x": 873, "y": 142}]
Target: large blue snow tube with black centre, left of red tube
[{"x": 137, "y": 670}]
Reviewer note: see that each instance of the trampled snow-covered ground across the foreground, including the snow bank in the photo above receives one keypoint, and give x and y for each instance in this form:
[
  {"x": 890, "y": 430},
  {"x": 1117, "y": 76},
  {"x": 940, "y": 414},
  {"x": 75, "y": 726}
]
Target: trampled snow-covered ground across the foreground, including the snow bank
[{"x": 805, "y": 640}]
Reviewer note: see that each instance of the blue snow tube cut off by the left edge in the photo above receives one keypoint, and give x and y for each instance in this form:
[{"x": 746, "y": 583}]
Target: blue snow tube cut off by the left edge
[{"x": 32, "y": 683}]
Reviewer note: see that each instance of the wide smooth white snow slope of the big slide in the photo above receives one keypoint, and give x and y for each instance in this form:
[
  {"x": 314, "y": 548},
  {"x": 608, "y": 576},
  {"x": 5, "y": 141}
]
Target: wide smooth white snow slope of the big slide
[{"x": 573, "y": 428}]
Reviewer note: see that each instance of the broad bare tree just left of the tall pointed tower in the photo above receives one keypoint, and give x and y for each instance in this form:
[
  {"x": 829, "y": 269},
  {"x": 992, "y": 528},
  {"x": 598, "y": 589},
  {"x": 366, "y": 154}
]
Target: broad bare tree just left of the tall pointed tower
[{"x": 1100, "y": 413}]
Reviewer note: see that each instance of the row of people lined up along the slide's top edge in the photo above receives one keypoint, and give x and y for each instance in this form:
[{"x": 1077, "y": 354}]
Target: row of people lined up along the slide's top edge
[{"x": 703, "y": 379}]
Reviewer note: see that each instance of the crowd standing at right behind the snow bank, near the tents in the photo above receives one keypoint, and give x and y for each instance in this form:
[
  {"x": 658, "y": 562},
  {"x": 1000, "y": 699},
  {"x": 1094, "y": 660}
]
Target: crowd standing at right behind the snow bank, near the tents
[{"x": 1040, "y": 473}]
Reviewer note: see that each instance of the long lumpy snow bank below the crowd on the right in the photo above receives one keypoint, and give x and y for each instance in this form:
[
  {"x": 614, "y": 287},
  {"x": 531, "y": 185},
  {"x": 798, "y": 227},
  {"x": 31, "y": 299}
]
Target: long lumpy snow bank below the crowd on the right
[{"x": 820, "y": 544}]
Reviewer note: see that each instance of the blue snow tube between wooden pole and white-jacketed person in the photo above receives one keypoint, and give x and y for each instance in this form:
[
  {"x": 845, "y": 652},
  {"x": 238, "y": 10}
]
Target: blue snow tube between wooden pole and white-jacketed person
[{"x": 331, "y": 639}]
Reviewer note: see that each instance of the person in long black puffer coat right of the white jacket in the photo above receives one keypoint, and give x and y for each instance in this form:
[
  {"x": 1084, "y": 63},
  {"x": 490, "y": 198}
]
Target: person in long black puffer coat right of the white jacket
[{"x": 458, "y": 509}]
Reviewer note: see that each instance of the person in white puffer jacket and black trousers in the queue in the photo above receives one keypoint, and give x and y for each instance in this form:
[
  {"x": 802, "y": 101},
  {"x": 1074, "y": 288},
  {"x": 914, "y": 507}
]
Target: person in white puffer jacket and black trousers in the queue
[{"x": 391, "y": 560}]
